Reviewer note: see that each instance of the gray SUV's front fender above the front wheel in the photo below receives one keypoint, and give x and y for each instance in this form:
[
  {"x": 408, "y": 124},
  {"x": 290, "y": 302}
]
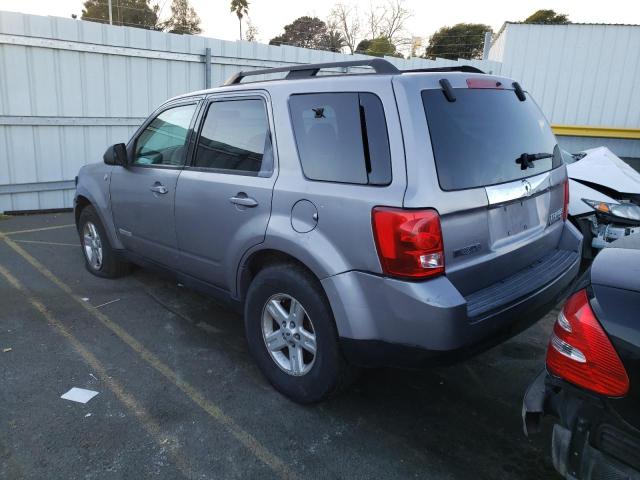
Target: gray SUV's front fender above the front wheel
[{"x": 93, "y": 184}]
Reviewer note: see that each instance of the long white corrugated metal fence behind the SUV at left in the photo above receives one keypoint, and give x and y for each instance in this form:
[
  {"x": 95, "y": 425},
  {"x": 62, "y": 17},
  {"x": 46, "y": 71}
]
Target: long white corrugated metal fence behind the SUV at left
[{"x": 70, "y": 88}]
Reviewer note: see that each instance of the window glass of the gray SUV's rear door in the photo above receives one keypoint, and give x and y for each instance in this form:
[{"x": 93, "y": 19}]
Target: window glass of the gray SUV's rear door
[{"x": 235, "y": 138}]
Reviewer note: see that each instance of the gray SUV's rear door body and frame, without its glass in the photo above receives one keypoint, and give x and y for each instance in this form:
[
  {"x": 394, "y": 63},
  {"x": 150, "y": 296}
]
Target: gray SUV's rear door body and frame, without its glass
[{"x": 214, "y": 234}]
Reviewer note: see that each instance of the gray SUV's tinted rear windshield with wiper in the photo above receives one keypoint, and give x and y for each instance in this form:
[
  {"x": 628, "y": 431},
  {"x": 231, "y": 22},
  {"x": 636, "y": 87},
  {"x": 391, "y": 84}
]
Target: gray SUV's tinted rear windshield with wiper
[{"x": 477, "y": 139}]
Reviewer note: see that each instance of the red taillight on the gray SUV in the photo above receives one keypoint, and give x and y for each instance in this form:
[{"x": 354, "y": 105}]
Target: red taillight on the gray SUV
[{"x": 409, "y": 242}]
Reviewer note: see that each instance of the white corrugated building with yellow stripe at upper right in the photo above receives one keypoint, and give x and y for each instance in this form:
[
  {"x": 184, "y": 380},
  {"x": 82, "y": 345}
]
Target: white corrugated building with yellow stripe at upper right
[{"x": 581, "y": 75}]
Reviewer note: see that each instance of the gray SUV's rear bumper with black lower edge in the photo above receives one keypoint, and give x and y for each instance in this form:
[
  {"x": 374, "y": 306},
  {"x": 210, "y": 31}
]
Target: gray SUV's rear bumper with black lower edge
[{"x": 388, "y": 322}]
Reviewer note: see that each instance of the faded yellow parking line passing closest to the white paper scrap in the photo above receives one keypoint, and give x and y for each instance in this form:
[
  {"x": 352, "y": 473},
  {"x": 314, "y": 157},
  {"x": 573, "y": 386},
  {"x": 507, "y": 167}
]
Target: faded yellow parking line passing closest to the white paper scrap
[{"x": 148, "y": 423}]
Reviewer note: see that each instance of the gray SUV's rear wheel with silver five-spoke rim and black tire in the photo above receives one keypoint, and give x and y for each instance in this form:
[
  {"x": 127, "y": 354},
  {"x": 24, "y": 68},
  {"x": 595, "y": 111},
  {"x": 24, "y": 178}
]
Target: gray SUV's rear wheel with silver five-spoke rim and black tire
[{"x": 287, "y": 294}]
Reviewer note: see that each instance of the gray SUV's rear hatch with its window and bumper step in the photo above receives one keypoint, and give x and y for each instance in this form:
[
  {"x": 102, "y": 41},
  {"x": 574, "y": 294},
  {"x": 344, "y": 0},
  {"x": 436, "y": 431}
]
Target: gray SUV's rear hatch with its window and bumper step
[{"x": 501, "y": 223}]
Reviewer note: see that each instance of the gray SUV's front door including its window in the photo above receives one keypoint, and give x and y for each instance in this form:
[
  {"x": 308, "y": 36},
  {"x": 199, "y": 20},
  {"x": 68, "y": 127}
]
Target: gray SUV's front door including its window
[{"x": 143, "y": 193}]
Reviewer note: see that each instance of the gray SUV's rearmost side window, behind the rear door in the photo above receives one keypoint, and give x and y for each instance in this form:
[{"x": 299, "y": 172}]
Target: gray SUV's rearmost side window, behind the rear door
[{"x": 342, "y": 137}]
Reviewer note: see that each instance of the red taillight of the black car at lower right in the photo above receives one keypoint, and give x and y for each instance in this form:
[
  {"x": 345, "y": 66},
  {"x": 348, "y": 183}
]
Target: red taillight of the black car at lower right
[{"x": 581, "y": 353}]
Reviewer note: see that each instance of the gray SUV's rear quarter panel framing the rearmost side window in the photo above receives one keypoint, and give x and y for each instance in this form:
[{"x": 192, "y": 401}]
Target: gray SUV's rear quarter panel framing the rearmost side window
[{"x": 343, "y": 239}]
